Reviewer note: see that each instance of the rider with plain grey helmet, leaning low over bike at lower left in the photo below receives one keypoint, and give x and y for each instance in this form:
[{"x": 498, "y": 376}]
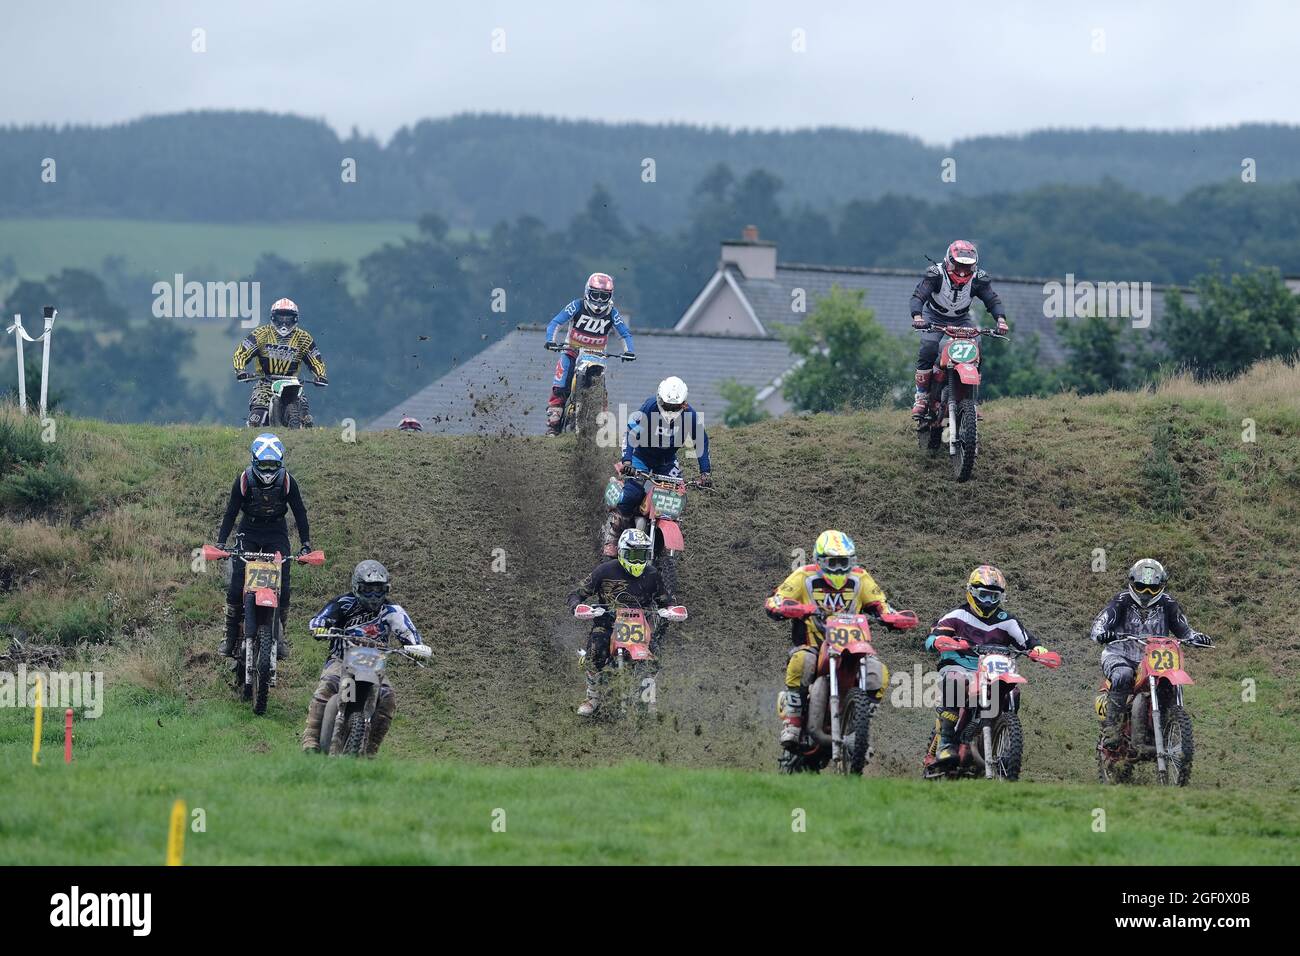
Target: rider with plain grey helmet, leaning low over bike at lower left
[{"x": 366, "y": 609}]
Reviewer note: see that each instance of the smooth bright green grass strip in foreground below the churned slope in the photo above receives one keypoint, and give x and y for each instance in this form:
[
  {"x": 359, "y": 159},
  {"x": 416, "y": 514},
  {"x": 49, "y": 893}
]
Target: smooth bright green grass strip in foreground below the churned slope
[{"x": 265, "y": 803}]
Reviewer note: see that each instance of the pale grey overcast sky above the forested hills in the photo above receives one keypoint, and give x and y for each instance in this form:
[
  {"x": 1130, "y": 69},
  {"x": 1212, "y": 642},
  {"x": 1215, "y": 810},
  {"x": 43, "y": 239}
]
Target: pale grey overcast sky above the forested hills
[{"x": 941, "y": 71}]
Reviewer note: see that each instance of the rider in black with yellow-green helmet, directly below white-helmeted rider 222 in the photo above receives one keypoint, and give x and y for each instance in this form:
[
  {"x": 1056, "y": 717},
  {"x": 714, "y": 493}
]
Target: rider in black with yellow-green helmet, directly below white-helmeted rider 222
[{"x": 629, "y": 582}]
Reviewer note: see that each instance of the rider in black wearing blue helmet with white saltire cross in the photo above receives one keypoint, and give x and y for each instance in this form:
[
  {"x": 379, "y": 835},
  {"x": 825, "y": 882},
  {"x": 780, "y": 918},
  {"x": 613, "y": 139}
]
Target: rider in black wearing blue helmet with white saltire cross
[{"x": 265, "y": 492}]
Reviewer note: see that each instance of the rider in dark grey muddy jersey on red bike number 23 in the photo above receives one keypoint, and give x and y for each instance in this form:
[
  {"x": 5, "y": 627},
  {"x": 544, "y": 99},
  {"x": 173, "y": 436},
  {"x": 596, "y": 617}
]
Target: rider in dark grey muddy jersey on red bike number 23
[{"x": 1143, "y": 609}]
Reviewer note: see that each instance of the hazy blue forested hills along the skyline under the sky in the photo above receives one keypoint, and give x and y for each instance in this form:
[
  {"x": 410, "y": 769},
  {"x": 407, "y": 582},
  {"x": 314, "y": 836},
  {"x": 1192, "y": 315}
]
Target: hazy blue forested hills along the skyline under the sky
[{"x": 478, "y": 170}]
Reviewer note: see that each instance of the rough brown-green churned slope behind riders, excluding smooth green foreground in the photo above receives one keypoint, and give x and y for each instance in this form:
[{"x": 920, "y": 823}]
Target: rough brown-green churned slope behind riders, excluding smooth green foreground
[{"x": 1163, "y": 474}]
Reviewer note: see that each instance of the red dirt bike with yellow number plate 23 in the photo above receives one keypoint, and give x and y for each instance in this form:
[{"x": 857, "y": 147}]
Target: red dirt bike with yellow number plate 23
[{"x": 1163, "y": 716}]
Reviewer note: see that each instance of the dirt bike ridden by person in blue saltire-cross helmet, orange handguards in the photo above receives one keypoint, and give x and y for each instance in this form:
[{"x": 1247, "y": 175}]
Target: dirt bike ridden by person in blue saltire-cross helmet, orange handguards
[{"x": 254, "y": 671}]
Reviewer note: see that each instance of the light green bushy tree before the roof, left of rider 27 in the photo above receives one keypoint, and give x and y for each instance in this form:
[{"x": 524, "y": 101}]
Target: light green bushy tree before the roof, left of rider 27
[{"x": 848, "y": 361}]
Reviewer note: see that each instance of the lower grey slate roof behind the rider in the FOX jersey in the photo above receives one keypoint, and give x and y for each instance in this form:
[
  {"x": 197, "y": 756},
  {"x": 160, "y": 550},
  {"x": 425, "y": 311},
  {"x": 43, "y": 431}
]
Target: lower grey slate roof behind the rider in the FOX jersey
[{"x": 505, "y": 387}]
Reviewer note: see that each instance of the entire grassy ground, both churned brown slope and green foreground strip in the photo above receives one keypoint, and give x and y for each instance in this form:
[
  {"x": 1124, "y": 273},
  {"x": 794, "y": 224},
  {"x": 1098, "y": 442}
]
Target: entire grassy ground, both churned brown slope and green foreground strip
[{"x": 105, "y": 572}]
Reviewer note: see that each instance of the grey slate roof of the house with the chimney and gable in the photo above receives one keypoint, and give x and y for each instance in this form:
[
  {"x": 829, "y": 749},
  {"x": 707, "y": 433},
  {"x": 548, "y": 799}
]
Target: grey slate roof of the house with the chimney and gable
[{"x": 887, "y": 292}]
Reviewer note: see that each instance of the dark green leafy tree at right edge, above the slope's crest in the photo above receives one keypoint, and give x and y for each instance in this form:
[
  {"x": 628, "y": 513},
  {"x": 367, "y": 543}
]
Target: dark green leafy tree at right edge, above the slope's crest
[{"x": 1234, "y": 323}]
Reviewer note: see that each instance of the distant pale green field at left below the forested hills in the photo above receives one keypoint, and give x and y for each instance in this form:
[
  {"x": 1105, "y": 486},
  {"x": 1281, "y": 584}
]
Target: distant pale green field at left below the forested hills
[{"x": 203, "y": 250}]
